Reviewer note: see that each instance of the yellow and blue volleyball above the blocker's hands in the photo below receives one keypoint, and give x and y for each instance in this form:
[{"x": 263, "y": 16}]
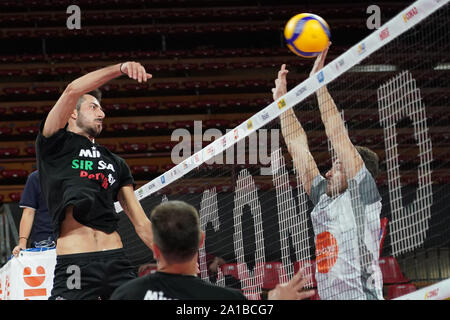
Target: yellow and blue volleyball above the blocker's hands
[{"x": 307, "y": 34}]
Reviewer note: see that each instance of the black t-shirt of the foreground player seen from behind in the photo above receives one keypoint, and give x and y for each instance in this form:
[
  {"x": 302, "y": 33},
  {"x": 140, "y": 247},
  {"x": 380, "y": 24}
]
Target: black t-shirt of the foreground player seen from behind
[{"x": 167, "y": 286}]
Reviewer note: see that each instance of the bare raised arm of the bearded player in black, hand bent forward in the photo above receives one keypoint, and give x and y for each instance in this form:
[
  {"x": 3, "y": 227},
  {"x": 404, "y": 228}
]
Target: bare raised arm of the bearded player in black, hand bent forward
[{"x": 62, "y": 110}]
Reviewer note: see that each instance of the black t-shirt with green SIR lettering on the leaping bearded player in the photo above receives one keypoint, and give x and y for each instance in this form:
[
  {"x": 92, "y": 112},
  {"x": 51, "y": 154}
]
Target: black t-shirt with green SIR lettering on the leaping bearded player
[{"x": 75, "y": 171}]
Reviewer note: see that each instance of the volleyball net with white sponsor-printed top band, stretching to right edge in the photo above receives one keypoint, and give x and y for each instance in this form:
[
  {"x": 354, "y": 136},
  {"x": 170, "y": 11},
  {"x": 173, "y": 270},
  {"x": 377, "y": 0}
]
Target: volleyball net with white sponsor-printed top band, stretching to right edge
[{"x": 266, "y": 211}]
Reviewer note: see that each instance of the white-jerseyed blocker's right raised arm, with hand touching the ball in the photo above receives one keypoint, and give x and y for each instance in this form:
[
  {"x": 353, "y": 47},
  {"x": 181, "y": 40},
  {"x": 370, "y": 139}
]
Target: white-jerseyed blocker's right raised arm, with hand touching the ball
[{"x": 335, "y": 126}]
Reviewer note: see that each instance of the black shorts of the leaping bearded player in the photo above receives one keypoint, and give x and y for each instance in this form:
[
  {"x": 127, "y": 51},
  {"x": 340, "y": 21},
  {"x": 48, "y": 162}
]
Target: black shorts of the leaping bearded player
[{"x": 92, "y": 275}]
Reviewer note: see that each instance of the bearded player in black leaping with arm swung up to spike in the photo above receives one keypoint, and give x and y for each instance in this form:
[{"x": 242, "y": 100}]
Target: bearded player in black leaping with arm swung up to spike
[{"x": 81, "y": 180}]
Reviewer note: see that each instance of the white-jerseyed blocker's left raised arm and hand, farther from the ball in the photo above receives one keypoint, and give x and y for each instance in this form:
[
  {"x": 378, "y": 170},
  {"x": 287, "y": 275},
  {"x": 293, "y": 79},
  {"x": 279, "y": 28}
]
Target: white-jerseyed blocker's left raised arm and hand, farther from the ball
[{"x": 295, "y": 136}]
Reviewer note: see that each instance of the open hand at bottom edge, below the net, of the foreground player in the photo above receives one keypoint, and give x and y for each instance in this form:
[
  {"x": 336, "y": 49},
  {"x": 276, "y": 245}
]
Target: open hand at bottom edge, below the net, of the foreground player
[{"x": 292, "y": 290}]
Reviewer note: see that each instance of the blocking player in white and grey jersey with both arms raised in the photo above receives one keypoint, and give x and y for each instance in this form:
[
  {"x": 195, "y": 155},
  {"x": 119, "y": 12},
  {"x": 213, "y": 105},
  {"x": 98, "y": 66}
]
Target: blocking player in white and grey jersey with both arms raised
[{"x": 347, "y": 204}]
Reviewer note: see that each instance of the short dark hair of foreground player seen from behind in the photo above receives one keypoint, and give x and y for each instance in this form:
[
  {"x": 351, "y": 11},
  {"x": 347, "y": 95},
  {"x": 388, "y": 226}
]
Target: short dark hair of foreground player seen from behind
[{"x": 176, "y": 230}]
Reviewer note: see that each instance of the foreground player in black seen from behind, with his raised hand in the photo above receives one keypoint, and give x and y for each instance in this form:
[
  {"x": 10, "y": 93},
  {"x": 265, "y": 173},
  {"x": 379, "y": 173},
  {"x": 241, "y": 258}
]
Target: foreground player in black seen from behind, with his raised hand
[{"x": 177, "y": 238}]
